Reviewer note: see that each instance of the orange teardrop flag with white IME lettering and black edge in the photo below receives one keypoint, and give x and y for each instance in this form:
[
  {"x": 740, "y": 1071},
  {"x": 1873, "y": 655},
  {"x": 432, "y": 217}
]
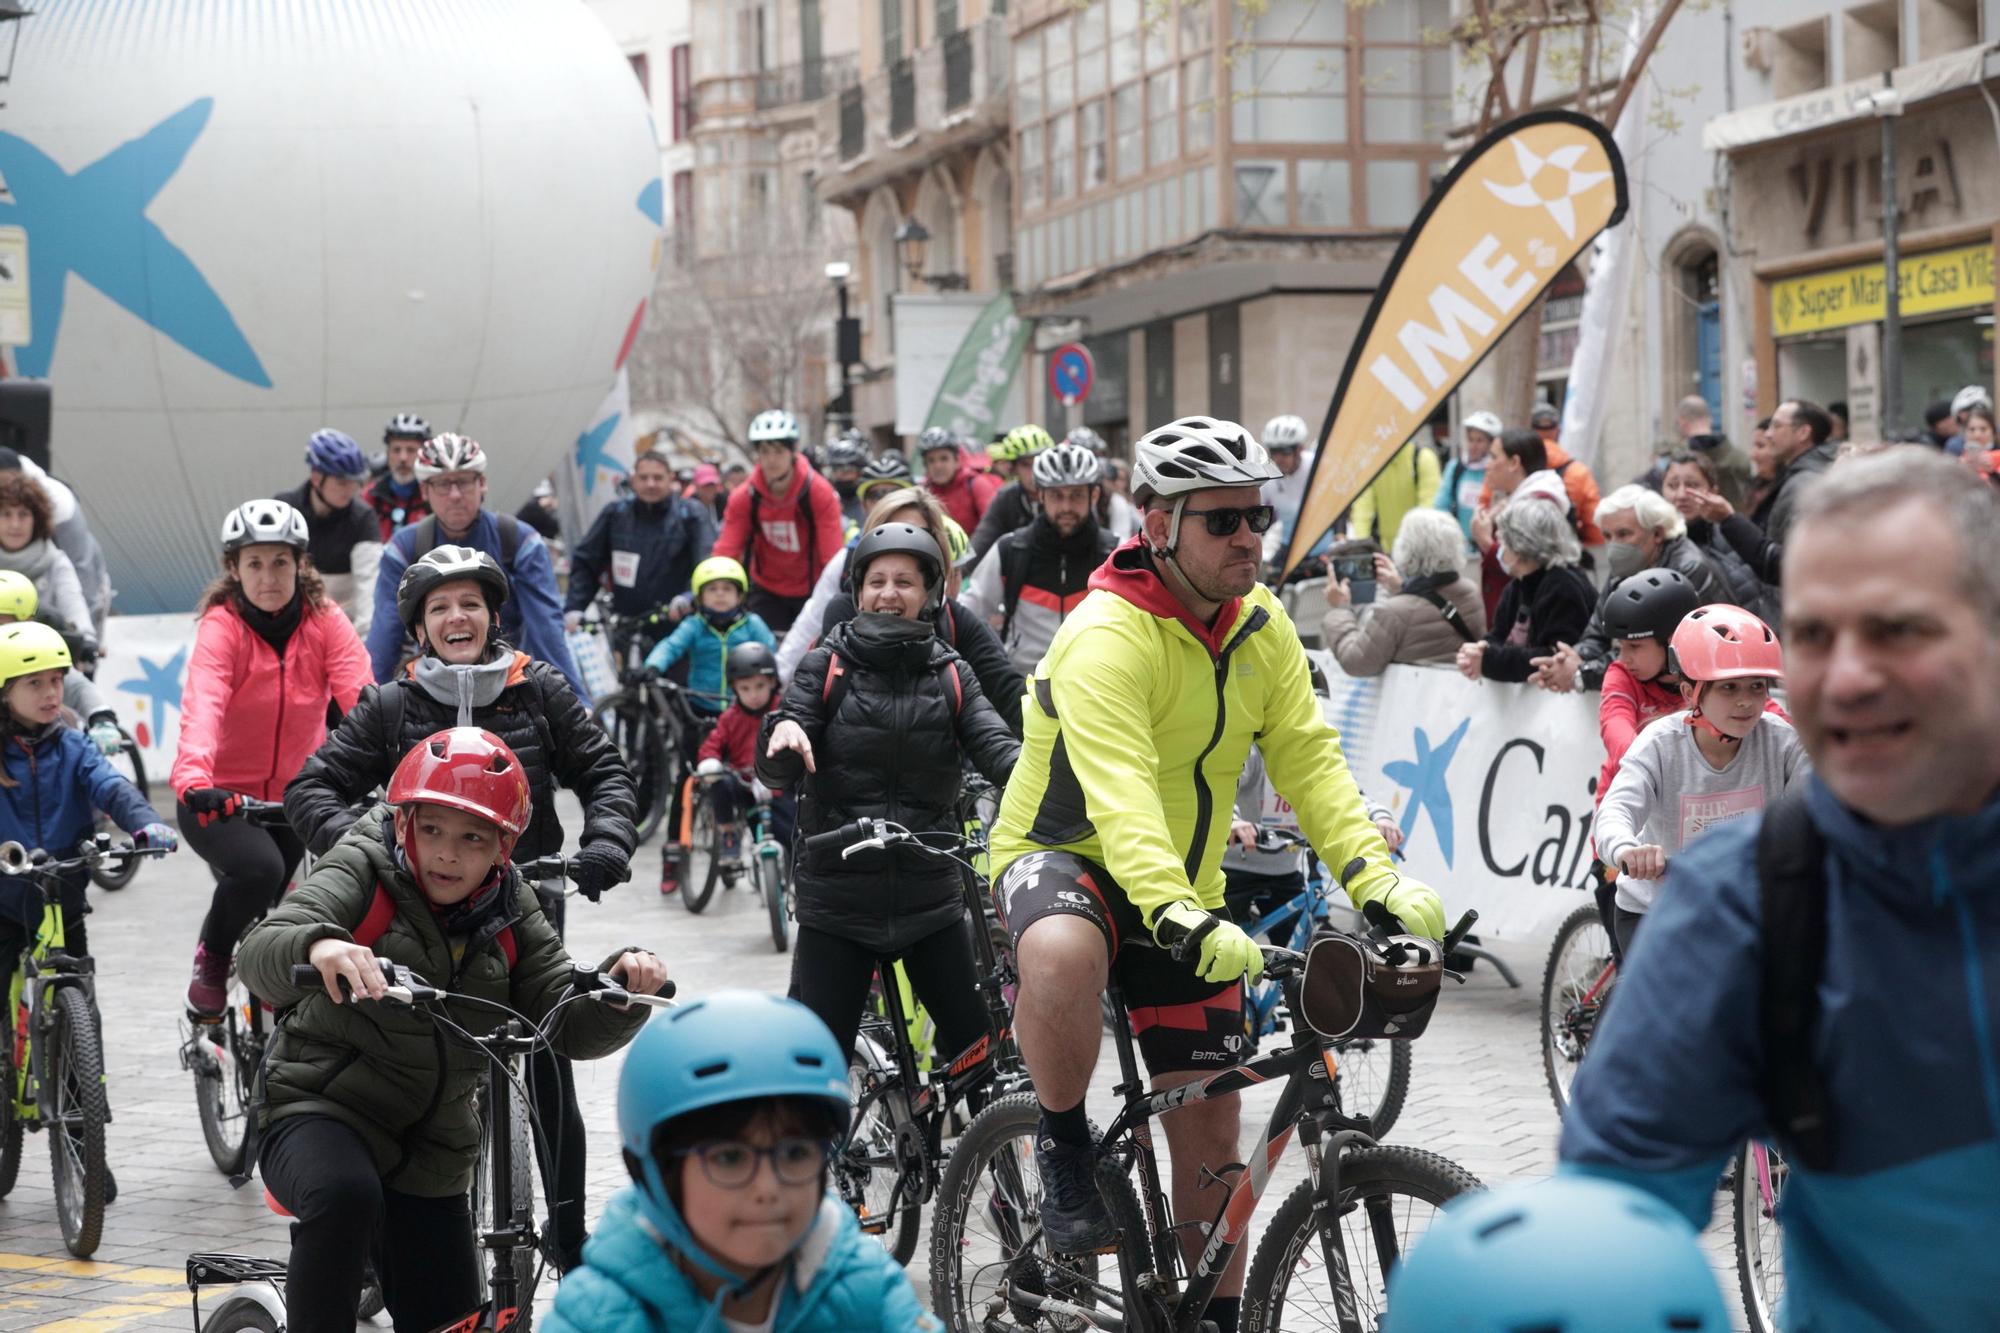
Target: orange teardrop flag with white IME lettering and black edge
[{"x": 1517, "y": 209}]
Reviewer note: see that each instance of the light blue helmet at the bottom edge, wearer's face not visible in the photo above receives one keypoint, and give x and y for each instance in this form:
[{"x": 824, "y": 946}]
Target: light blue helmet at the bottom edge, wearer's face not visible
[{"x": 1505, "y": 1262}]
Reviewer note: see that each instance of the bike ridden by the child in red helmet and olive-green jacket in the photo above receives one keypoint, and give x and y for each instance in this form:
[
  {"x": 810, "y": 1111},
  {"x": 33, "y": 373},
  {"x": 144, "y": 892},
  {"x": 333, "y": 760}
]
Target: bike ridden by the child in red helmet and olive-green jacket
[{"x": 507, "y": 1234}]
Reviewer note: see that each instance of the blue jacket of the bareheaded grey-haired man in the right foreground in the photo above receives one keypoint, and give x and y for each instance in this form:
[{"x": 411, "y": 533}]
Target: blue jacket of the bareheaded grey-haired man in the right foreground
[{"x": 1897, "y": 1236}]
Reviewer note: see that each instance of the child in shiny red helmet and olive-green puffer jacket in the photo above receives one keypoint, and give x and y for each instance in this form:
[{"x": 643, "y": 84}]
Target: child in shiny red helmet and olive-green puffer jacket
[{"x": 369, "y": 1126}]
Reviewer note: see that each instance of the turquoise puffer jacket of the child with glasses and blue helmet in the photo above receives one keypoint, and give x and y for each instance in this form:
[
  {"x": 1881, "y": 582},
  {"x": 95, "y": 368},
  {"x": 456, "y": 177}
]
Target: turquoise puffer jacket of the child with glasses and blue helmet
[{"x": 839, "y": 1282}]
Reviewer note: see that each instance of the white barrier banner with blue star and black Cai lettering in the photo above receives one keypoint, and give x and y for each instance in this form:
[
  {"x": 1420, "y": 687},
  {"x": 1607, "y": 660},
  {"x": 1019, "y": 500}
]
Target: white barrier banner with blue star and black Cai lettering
[{"x": 1493, "y": 788}]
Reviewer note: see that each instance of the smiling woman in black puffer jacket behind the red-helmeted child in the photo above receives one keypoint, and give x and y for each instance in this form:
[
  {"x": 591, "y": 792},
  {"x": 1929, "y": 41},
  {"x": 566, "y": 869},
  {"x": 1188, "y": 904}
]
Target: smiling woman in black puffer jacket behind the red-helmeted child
[{"x": 467, "y": 678}]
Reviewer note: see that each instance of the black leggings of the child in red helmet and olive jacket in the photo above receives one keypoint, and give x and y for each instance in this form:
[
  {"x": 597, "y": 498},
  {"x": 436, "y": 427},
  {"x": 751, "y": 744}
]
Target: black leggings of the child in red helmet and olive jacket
[{"x": 423, "y": 1248}]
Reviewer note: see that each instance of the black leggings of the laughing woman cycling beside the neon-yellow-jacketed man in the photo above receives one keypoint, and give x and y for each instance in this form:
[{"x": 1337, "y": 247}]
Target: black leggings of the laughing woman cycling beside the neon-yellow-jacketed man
[{"x": 831, "y": 978}]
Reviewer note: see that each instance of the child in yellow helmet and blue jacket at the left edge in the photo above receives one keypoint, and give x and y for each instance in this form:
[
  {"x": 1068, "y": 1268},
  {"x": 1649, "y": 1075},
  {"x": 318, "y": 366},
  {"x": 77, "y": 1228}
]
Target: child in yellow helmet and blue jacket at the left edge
[{"x": 53, "y": 782}]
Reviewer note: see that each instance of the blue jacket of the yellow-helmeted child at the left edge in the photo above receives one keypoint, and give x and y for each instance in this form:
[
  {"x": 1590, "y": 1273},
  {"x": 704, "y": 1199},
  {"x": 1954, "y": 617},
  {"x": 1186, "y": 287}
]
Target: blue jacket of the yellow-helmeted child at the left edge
[{"x": 61, "y": 782}]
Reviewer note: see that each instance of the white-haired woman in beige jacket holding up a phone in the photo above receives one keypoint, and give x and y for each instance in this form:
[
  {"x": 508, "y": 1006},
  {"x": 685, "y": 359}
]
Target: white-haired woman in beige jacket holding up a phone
[{"x": 1429, "y": 607}]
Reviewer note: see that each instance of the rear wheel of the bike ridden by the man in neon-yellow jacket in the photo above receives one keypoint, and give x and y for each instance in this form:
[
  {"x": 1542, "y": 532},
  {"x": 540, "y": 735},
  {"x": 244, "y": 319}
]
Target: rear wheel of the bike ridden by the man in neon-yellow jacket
[{"x": 987, "y": 1252}]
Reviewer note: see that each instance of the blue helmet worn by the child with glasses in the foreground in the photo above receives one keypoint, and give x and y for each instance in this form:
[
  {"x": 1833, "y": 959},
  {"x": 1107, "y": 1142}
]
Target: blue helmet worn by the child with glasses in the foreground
[{"x": 733, "y": 1046}]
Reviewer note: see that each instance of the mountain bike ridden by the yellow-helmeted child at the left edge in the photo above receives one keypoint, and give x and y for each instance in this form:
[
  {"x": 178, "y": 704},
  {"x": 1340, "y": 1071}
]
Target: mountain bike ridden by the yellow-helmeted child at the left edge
[{"x": 53, "y": 1066}]
